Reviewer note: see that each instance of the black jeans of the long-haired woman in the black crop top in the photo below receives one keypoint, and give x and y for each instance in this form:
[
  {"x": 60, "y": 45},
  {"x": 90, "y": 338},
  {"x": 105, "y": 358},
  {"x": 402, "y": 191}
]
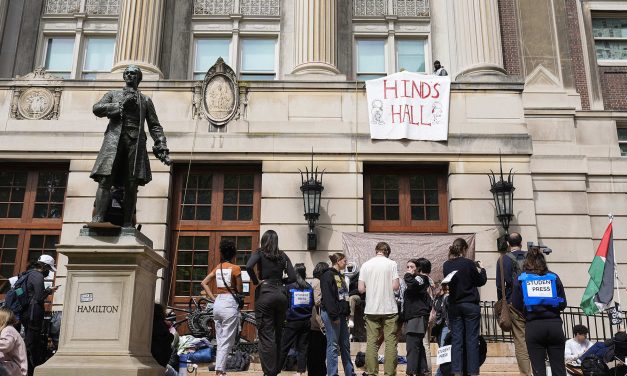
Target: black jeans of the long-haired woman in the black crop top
[{"x": 270, "y": 309}]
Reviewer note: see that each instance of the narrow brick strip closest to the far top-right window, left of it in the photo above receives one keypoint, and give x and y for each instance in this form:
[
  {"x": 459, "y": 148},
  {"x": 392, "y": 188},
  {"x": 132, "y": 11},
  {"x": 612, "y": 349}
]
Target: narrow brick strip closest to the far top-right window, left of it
[{"x": 576, "y": 53}]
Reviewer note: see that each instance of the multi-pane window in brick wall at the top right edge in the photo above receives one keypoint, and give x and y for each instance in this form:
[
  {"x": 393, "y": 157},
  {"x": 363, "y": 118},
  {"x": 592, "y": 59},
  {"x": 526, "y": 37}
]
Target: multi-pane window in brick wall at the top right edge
[{"x": 610, "y": 39}]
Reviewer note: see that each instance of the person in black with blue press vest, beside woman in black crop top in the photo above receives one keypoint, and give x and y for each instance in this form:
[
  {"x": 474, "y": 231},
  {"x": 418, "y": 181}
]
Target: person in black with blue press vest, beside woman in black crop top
[{"x": 298, "y": 320}]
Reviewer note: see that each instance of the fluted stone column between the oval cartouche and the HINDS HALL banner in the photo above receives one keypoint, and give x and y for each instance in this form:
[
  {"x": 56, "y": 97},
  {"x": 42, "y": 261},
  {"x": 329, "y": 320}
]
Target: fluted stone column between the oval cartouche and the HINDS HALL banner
[{"x": 315, "y": 37}]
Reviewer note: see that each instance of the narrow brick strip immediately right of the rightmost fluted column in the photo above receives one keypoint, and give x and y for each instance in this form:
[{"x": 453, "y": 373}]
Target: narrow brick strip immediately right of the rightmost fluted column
[{"x": 510, "y": 38}]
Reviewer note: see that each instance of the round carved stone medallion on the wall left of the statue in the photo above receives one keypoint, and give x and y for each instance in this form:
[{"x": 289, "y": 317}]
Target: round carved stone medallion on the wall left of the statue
[{"x": 36, "y": 96}]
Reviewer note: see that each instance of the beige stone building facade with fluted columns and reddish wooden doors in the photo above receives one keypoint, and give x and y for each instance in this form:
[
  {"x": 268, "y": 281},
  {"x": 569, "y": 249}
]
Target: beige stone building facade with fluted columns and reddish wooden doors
[{"x": 540, "y": 83}]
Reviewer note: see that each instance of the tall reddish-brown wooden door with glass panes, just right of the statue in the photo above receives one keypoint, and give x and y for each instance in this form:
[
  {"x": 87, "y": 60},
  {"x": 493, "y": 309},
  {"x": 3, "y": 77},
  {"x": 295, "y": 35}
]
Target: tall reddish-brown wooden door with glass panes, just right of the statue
[{"x": 211, "y": 204}]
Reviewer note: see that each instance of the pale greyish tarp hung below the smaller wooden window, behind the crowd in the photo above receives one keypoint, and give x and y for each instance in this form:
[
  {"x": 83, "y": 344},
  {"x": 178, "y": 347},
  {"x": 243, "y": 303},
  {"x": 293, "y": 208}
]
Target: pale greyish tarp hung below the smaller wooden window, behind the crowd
[{"x": 359, "y": 247}]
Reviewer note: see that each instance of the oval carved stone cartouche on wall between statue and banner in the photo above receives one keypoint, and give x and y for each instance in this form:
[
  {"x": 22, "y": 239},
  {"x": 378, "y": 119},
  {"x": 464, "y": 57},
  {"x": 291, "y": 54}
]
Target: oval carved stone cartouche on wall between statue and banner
[{"x": 220, "y": 94}]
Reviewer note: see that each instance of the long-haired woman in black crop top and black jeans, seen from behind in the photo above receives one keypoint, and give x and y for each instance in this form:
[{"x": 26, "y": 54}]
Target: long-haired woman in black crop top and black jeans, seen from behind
[{"x": 270, "y": 298}]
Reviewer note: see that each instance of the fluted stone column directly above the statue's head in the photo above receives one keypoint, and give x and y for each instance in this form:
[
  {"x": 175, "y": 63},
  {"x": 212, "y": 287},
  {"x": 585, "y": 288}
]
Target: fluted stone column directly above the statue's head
[{"x": 139, "y": 35}]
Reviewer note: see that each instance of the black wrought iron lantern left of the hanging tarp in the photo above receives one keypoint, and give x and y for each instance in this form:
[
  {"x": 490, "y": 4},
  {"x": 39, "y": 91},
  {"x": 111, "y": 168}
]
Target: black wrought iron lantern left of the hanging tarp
[{"x": 312, "y": 190}]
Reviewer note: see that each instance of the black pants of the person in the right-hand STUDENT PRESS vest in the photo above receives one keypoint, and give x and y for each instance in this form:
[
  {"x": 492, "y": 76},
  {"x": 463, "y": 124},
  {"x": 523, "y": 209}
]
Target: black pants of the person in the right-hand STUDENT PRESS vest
[{"x": 546, "y": 337}]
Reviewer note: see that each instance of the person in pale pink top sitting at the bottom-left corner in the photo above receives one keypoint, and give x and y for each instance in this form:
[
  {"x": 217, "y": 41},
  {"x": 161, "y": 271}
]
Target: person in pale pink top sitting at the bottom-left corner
[{"x": 12, "y": 347}]
